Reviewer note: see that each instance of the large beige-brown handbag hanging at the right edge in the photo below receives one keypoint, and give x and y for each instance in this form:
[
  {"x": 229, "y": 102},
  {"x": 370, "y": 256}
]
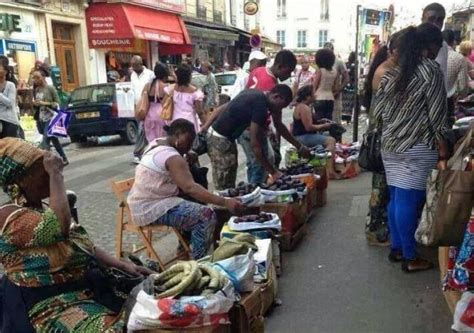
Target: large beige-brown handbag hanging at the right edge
[{"x": 449, "y": 201}]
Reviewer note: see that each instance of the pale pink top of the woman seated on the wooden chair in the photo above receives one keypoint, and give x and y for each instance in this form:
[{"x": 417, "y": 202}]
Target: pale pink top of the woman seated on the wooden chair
[{"x": 154, "y": 191}]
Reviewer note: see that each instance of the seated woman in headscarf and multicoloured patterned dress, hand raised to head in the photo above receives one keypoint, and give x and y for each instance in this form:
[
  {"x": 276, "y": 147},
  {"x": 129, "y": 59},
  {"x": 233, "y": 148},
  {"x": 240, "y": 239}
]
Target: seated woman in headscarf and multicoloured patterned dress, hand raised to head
[{"x": 45, "y": 286}]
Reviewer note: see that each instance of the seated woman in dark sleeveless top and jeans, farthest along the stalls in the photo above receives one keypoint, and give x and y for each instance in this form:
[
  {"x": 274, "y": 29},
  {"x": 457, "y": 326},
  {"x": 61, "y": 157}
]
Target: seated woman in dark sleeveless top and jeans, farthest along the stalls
[{"x": 308, "y": 133}]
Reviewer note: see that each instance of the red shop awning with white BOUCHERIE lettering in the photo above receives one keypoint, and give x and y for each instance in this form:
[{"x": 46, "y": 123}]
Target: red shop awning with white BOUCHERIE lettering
[{"x": 117, "y": 25}]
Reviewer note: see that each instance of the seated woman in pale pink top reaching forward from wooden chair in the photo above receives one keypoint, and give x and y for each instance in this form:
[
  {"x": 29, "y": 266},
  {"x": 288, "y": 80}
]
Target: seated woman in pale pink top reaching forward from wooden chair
[{"x": 162, "y": 172}]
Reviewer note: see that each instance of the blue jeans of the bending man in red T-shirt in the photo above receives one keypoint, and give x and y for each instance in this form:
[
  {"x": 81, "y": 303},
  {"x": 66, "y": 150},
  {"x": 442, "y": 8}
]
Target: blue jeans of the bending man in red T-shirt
[{"x": 256, "y": 174}]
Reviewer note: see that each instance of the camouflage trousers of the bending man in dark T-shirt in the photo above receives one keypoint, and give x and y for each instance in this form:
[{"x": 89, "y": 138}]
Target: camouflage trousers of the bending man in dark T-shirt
[{"x": 223, "y": 155}]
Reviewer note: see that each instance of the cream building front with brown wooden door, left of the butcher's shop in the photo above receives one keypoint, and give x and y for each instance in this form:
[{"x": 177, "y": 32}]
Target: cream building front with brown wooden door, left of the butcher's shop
[{"x": 52, "y": 31}]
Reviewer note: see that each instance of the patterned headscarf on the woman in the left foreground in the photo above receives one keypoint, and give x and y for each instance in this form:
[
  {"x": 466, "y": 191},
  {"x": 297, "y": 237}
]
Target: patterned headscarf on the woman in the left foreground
[{"x": 16, "y": 156}]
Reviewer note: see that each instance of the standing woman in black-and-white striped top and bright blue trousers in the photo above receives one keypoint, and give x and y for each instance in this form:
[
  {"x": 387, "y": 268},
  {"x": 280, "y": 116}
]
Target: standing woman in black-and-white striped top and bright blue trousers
[{"x": 411, "y": 105}]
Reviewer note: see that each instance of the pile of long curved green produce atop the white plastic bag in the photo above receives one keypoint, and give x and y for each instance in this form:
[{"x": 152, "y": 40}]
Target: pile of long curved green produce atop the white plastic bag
[{"x": 188, "y": 278}]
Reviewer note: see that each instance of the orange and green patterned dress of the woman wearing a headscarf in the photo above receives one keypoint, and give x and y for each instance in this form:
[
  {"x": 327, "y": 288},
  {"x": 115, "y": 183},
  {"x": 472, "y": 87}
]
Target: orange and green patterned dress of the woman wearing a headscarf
[{"x": 35, "y": 253}]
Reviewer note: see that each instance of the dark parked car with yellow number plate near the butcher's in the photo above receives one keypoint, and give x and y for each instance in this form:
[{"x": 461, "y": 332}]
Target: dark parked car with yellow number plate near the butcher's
[{"x": 102, "y": 109}]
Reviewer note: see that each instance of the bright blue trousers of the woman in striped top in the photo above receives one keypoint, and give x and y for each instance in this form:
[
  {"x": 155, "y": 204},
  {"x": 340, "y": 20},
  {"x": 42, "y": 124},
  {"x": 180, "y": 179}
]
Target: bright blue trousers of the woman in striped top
[{"x": 404, "y": 210}]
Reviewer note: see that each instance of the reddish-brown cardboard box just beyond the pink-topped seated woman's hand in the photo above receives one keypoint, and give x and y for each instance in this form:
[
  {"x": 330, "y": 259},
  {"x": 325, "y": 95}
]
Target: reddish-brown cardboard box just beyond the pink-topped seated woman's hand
[{"x": 292, "y": 215}]
